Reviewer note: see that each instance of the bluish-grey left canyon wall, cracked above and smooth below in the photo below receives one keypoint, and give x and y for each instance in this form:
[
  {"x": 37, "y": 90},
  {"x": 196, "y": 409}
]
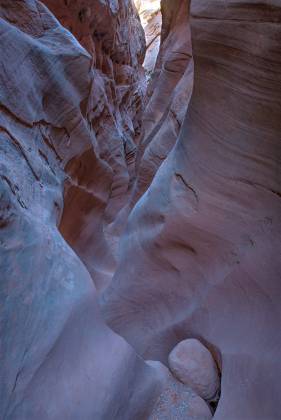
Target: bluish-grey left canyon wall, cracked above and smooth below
[{"x": 58, "y": 359}]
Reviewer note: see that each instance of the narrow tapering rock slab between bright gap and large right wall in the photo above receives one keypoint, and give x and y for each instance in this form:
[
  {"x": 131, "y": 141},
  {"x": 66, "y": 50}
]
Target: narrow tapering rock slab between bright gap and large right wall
[{"x": 168, "y": 94}]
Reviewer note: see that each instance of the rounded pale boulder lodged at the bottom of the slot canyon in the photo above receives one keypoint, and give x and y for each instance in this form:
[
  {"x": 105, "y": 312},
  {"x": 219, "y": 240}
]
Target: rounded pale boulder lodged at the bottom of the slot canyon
[{"x": 194, "y": 365}]
